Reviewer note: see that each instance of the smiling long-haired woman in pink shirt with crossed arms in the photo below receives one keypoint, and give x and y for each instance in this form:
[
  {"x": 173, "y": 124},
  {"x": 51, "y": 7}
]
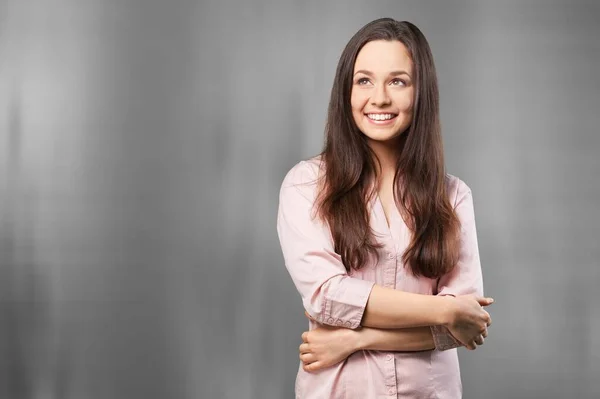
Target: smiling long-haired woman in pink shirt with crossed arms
[{"x": 379, "y": 241}]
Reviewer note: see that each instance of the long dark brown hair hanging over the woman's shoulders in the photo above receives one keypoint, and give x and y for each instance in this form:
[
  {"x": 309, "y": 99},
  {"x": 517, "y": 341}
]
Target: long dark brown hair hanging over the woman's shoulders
[{"x": 419, "y": 184}]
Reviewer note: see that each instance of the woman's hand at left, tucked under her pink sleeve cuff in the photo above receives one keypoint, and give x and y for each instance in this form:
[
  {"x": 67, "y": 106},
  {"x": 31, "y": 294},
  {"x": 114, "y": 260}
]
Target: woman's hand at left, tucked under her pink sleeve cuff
[{"x": 326, "y": 346}]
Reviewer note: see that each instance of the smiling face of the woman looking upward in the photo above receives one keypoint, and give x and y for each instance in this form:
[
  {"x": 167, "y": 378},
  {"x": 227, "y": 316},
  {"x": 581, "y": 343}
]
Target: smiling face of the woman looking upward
[{"x": 382, "y": 90}]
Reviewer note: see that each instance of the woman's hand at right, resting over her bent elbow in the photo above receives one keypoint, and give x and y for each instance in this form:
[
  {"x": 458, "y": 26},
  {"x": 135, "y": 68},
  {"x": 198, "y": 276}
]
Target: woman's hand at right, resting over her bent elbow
[{"x": 468, "y": 320}]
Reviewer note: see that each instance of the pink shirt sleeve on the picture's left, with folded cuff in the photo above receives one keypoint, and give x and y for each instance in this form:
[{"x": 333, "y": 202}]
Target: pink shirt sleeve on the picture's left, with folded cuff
[{"x": 329, "y": 294}]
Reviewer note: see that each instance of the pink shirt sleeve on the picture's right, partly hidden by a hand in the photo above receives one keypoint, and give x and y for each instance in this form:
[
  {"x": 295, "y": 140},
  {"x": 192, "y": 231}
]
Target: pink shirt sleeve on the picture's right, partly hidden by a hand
[{"x": 466, "y": 277}]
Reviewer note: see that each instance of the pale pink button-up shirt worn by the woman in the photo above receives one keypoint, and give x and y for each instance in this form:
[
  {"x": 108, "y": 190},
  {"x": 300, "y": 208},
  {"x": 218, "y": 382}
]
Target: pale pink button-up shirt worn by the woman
[{"x": 335, "y": 297}]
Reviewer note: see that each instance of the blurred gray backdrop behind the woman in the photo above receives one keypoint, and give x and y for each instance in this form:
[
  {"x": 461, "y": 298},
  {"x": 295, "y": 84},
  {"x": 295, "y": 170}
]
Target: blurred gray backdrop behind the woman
[{"x": 143, "y": 144}]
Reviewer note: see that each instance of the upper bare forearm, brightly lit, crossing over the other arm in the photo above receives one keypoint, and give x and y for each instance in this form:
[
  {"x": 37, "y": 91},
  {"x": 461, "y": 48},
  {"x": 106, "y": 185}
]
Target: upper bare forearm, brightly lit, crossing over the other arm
[{"x": 393, "y": 309}]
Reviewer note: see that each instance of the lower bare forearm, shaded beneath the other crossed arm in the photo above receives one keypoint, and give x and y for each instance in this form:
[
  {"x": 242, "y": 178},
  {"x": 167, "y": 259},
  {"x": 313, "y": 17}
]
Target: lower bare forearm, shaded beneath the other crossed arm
[{"x": 404, "y": 340}]
